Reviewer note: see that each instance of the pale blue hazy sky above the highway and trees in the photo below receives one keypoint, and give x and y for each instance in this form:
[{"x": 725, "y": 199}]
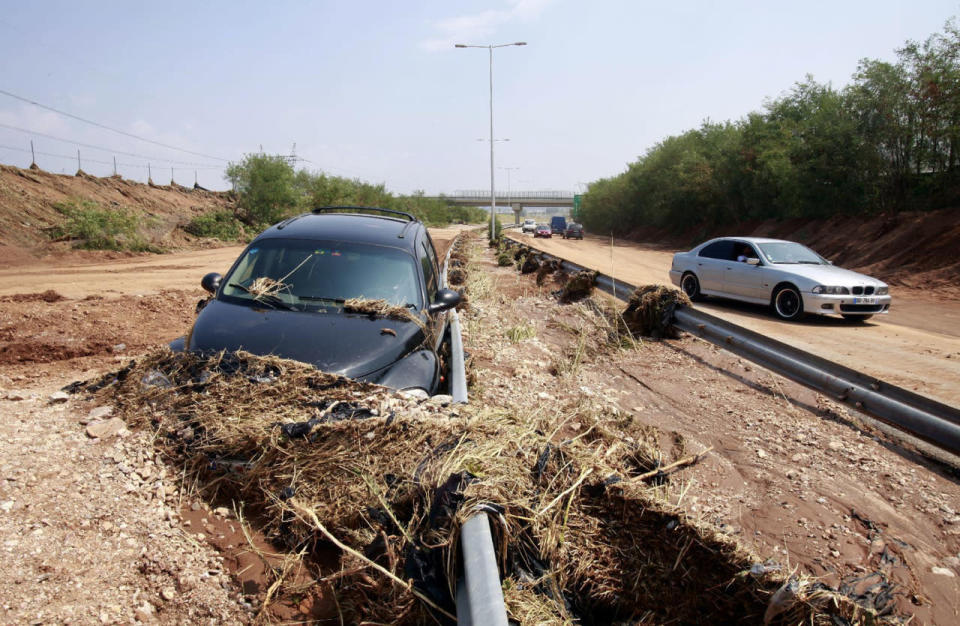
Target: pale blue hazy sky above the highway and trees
[{"x": 375, "y": 90}]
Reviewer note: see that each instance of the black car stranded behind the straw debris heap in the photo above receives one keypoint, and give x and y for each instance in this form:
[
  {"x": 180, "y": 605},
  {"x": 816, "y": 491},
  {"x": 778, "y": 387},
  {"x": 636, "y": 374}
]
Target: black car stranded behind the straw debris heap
[{"x": 287, "y": 295}]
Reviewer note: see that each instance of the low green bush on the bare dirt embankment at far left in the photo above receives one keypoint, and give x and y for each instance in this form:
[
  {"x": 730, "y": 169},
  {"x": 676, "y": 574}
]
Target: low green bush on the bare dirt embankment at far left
[{"x": 93, "y": 228}]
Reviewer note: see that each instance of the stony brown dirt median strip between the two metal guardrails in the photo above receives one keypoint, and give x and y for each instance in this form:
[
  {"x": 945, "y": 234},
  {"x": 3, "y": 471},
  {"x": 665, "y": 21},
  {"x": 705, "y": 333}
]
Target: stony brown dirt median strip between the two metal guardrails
[{"x": 791, "y": 474}]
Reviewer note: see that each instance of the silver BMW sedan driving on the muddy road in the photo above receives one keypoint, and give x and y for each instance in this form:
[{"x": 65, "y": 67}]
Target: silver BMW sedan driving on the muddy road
[{"x": 789, "y": 277}]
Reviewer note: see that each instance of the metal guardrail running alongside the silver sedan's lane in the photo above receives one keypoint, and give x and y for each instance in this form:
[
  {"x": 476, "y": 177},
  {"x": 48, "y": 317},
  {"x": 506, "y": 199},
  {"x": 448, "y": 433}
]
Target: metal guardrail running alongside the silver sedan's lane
[{"x": 927, "y": 419}]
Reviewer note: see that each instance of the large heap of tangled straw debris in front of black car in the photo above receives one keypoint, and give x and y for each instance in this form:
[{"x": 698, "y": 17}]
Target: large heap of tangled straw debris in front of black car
[{"x": 584, "y": 532}]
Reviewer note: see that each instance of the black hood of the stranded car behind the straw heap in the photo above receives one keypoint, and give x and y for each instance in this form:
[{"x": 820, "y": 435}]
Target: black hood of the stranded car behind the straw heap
[{"x": 339, "y": 343}]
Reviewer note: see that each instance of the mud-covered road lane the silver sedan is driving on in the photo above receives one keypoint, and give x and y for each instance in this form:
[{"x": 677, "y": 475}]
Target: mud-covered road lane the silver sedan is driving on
[{"x": 916, "y": 346}]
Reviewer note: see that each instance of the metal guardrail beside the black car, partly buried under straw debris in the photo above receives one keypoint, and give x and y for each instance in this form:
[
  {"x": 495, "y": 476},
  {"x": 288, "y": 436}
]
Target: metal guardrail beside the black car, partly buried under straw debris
[{"x": 479, "y": 594}]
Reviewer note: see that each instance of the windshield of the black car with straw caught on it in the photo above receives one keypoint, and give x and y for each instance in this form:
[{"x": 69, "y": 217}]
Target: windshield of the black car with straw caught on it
[{"x": 301, "y": 274}]
